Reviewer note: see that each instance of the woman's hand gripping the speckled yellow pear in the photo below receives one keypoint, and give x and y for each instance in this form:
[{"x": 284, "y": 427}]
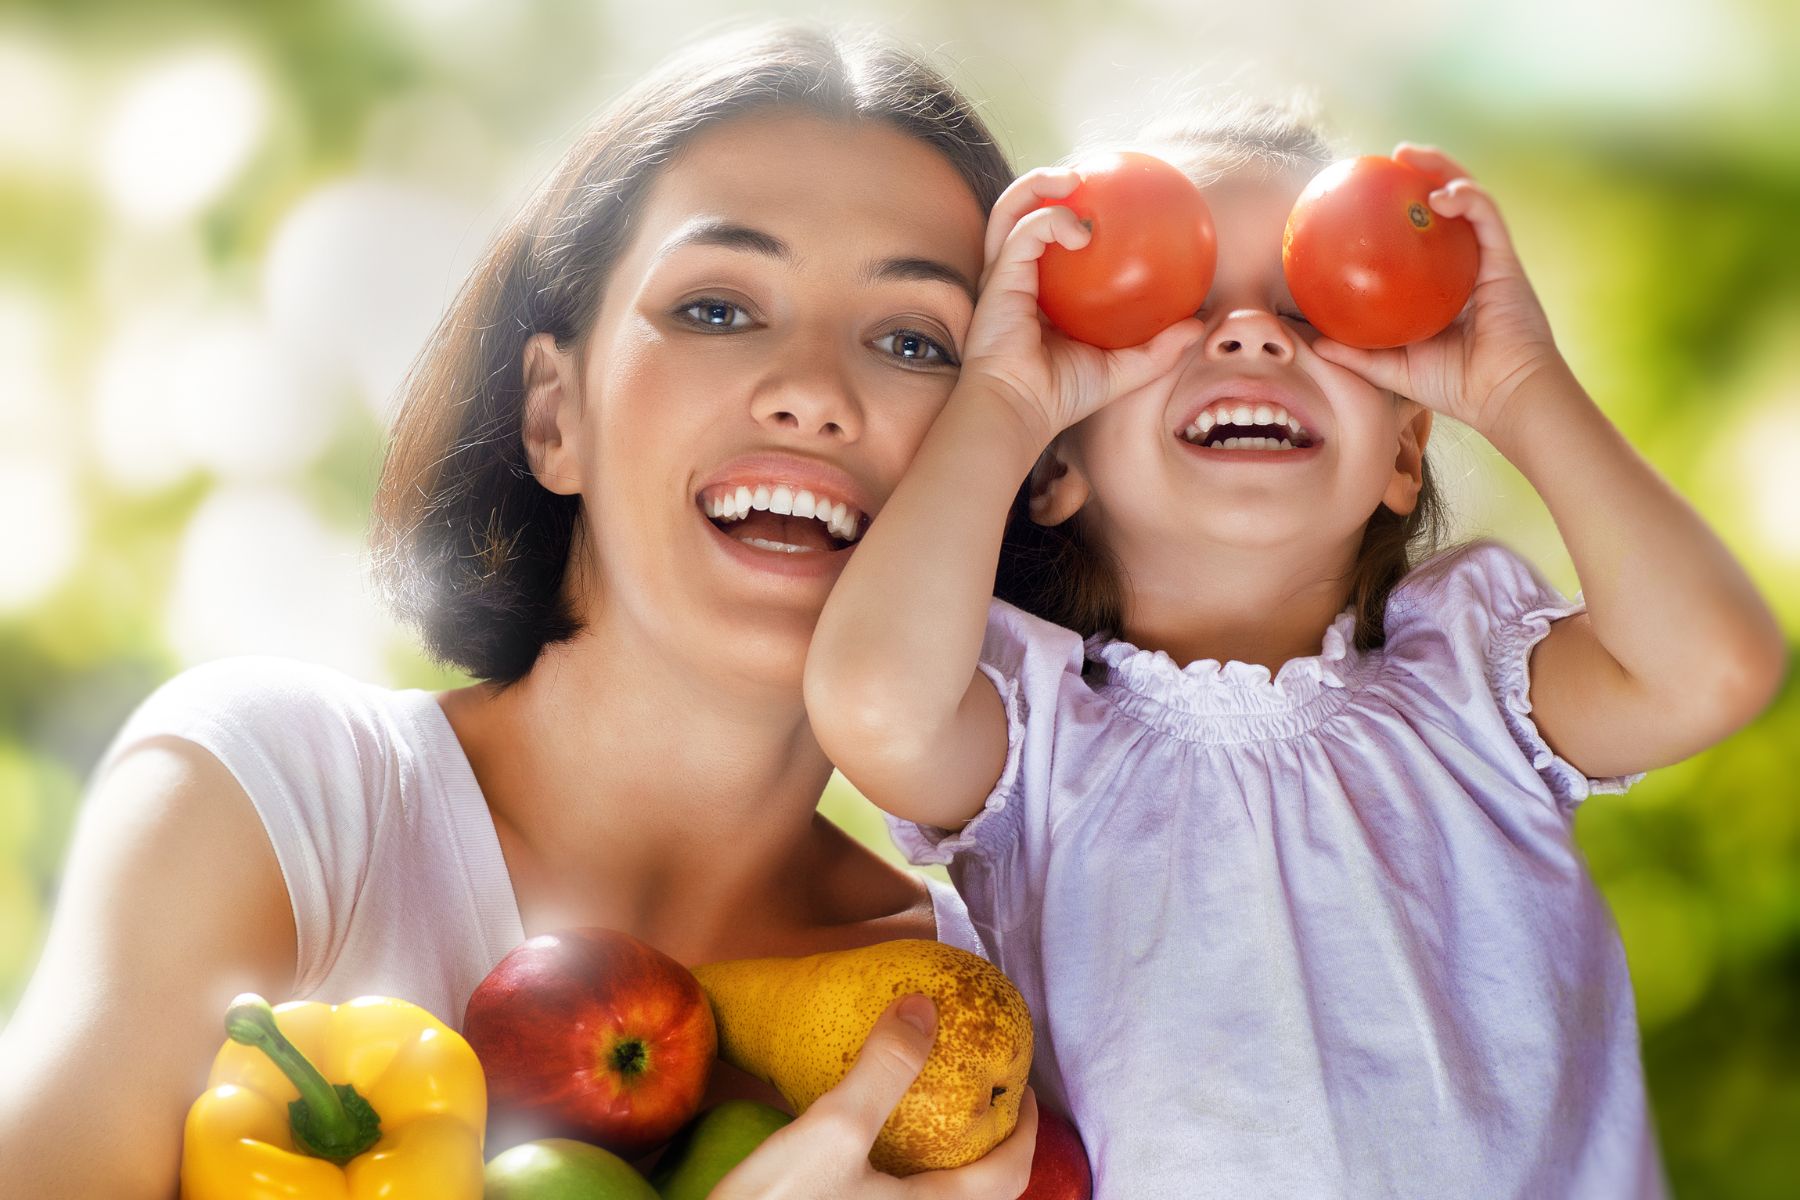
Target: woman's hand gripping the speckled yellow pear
[{"x": 825, "y": 1152}]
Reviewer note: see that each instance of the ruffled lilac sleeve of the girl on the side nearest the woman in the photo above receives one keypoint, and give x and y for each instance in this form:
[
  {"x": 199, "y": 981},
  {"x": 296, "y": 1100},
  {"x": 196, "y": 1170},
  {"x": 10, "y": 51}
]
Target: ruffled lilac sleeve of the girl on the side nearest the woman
[{"x": 1029, "y": 661}]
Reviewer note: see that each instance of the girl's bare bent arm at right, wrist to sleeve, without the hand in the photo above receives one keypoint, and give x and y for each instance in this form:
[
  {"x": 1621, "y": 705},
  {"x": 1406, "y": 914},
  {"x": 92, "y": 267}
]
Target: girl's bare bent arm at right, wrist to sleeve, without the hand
[{"x": 1677, "y": 649}]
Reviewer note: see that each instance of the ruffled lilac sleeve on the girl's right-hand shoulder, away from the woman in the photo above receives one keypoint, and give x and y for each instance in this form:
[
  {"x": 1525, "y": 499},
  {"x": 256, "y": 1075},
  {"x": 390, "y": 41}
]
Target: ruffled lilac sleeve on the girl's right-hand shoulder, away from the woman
[{"x": 1491, "y": 609}]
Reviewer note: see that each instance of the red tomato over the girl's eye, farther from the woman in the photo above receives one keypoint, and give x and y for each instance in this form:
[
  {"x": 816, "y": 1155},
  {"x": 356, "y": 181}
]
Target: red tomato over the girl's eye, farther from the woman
[{"x": 1369, "y": 262}]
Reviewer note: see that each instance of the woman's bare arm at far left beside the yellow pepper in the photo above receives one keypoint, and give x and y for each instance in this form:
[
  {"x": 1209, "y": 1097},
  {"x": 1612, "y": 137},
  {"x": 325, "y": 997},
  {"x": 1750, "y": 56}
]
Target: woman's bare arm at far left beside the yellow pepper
[{"x": 172, "y": 906}]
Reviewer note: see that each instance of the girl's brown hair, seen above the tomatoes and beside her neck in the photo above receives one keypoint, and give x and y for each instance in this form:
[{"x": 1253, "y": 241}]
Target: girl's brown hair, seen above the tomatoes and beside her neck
[{"x": 1063, "y": 573}]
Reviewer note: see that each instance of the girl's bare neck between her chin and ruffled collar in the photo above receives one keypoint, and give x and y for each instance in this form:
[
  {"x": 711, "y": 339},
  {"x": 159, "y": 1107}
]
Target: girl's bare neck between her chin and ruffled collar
[{"x": 1261, "y": 605}]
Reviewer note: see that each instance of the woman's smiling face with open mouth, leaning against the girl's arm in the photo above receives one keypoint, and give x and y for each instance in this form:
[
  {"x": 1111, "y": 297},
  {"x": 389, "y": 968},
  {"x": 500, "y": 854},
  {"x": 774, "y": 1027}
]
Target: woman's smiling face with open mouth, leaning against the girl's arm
[{"x": 778, "y": 336}]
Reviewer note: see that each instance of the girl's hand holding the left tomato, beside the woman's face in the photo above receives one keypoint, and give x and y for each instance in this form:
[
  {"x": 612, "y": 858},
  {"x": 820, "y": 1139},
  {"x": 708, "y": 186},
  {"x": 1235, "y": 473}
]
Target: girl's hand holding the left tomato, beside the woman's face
[{"x": 1052, "y": 381}]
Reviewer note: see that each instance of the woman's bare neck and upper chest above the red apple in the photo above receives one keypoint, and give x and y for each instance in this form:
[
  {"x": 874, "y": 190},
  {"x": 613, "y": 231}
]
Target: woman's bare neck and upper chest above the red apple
[{"x": 643, "y": 789}]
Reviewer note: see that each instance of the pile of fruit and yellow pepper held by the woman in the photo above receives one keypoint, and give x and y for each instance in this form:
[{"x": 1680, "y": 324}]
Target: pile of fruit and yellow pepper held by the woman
[{"x": 589, "y": 1052}]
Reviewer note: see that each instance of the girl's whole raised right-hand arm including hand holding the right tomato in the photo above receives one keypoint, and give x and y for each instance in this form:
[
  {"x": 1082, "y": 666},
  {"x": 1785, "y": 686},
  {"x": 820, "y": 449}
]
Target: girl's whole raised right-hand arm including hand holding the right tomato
[{"x": 1677, "y": 649}]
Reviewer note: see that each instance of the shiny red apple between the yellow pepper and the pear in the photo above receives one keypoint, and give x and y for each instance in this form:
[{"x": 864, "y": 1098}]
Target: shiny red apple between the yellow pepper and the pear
[{"x": 595, "y": 1035}]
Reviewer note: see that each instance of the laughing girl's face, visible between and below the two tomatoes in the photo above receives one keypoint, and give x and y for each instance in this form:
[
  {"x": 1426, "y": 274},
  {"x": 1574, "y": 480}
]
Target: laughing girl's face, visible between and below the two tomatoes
[{"x": 1156, "y": 461}]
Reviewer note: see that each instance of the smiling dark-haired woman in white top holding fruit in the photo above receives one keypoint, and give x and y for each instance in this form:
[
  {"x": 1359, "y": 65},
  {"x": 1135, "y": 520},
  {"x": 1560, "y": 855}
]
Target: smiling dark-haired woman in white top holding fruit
[{"x": 746, "y": 283}]
